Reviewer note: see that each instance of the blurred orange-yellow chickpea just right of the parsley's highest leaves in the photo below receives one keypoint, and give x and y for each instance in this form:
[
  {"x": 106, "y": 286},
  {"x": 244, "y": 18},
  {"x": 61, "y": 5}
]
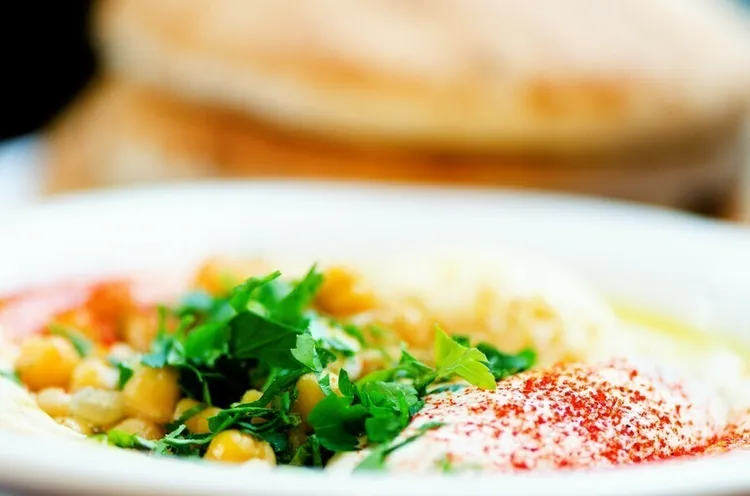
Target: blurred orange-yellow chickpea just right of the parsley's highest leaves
[{"x": 343, "y": 293}]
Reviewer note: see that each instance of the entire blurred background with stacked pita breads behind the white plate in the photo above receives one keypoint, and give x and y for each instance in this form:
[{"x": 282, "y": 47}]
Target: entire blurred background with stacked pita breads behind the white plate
[{"x": 639, "y": 100}]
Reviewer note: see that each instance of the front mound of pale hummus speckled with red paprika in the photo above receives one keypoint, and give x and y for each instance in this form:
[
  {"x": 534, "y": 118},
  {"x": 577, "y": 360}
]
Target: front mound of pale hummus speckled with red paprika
[{"x": 565, "y": 417}]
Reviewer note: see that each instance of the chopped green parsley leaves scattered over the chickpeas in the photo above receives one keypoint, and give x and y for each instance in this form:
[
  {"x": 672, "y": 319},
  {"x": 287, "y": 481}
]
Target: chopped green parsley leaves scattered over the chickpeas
[{"x": 265, "y": 334}]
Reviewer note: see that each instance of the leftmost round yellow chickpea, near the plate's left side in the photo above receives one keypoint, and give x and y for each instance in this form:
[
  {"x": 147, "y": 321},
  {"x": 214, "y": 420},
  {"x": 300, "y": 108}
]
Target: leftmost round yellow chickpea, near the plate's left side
[{"x": 46, "y": 361}]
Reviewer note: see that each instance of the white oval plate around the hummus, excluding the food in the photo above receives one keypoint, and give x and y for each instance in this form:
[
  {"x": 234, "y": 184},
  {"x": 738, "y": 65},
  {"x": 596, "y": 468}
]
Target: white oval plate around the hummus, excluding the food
[{"x": 692, "y": 268}]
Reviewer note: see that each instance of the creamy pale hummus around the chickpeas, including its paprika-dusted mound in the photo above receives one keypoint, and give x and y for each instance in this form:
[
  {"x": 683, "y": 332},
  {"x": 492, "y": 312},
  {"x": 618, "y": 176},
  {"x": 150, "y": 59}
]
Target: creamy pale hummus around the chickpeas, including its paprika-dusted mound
[{"x": 604, "y": 391}]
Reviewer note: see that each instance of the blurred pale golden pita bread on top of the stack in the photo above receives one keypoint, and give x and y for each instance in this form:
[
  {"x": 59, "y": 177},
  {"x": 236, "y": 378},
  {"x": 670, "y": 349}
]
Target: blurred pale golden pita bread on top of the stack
[{"x": 445, "y": 75}]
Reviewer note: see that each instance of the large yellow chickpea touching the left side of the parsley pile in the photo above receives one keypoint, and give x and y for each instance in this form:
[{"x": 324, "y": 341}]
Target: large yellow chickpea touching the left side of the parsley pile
[{"x": 152, "y": 394}]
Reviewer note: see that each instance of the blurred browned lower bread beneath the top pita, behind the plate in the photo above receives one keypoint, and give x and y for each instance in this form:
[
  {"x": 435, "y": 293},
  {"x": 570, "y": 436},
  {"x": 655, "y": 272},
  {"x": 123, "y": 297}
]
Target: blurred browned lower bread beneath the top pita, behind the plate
[{"x": 123, "y": 133}]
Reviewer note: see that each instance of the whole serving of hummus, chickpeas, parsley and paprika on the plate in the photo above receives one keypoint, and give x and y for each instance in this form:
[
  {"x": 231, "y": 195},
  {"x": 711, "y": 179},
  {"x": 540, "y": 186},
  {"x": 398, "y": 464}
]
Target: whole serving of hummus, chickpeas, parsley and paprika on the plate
[{"x": 501, "y": 365}]
